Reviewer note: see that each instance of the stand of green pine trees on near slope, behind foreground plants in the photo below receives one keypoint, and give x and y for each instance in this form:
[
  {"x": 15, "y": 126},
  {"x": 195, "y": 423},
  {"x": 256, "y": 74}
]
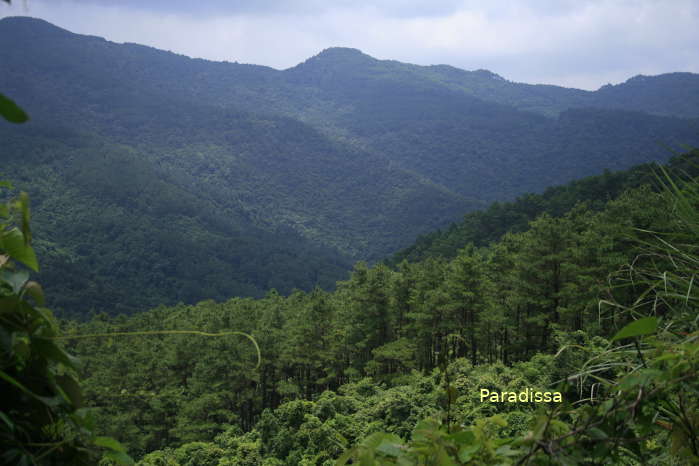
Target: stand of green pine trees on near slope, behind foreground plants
[{"x": 382, "y": 333}]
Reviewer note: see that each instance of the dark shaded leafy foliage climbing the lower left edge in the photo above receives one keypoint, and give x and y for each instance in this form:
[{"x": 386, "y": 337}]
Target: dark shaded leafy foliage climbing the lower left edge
[{"x": 44, "y": 420}]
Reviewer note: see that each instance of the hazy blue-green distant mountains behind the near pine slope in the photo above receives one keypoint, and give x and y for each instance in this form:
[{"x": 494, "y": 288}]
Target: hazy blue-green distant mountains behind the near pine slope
[{"x": 187, "y": 179}]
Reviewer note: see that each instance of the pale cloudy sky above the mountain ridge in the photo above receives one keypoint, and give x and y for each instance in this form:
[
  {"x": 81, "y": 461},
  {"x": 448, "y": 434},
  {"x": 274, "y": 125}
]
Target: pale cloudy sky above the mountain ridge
[{"x": 580, "y": 43}]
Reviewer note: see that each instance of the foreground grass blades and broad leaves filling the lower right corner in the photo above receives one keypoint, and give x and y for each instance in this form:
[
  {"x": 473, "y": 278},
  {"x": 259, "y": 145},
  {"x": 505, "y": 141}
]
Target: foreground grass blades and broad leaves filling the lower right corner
[{"x": 644, "y": 394}]
